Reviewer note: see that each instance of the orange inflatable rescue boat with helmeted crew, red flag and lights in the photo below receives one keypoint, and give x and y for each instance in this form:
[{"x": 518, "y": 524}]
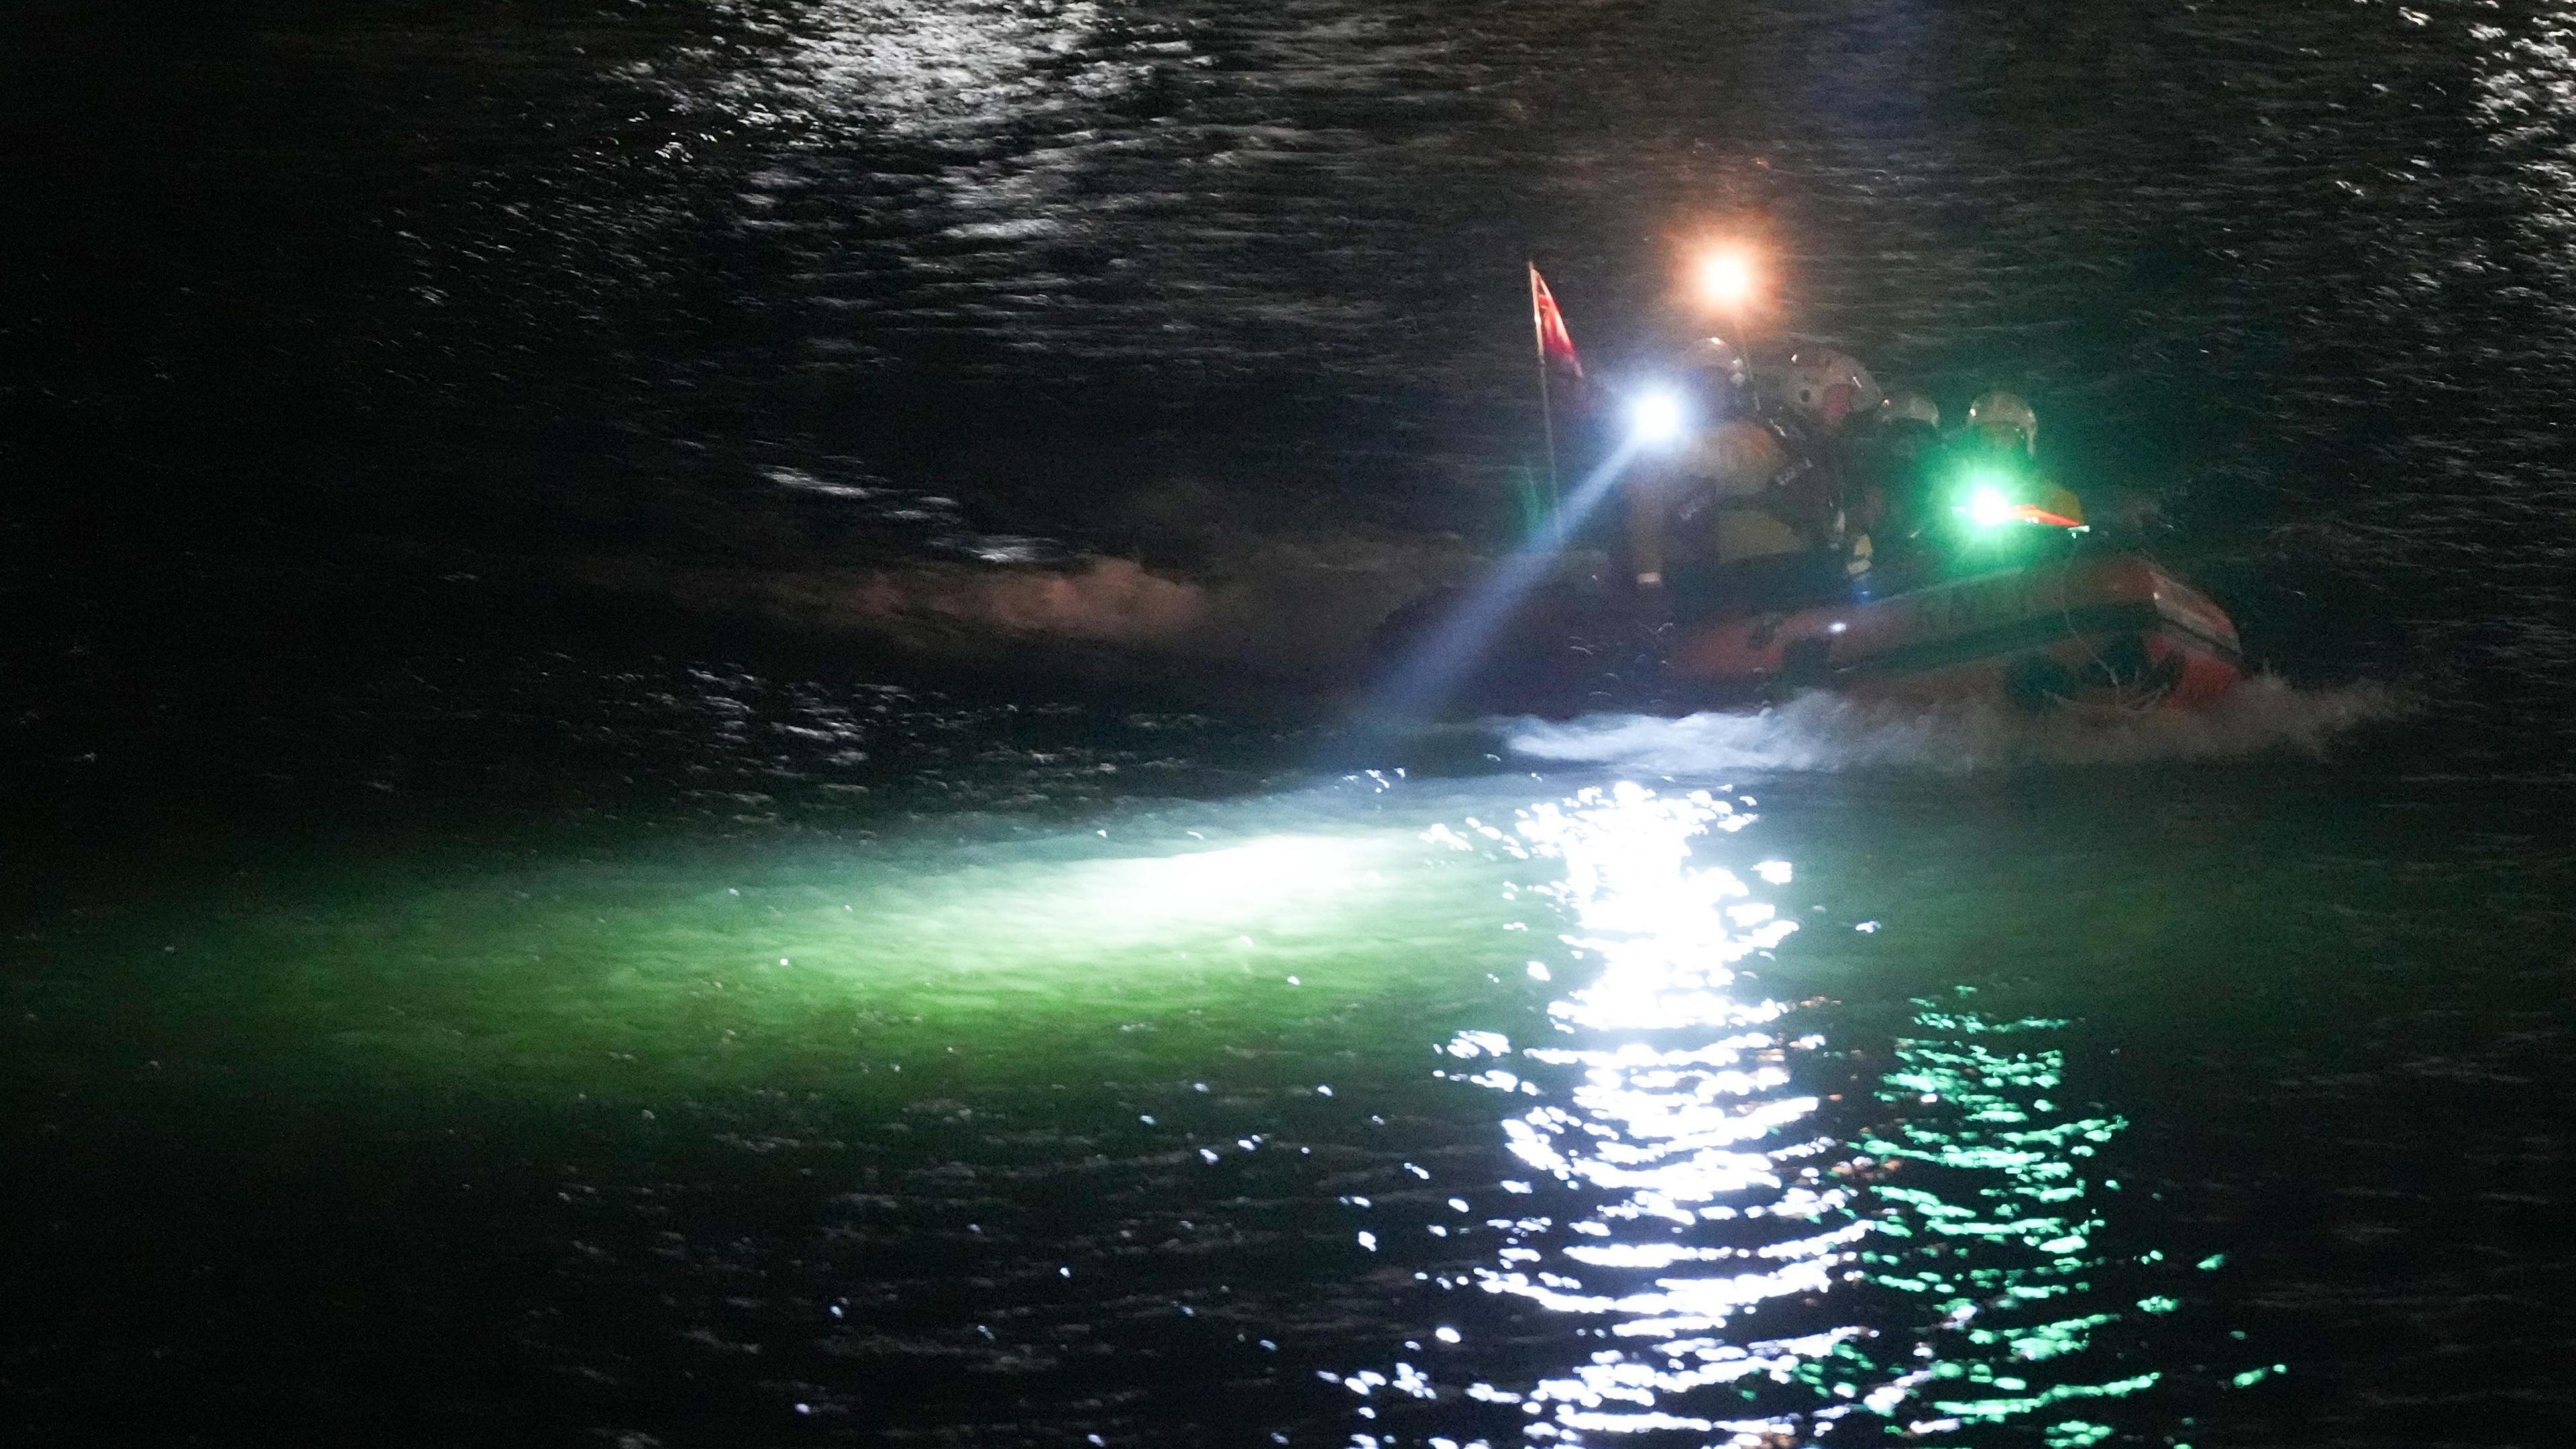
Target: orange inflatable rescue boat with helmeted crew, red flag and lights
[{"x": 1786, "y": 525}]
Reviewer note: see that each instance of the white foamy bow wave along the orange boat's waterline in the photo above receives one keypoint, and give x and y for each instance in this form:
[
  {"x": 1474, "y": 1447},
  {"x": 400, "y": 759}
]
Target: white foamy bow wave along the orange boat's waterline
[{"x": 1828, "y": 734}]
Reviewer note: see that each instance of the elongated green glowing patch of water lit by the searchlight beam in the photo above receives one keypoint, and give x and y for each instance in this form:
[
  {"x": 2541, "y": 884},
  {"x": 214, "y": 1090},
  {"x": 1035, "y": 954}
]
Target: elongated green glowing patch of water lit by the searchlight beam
[{"x": 805, "y": 963}]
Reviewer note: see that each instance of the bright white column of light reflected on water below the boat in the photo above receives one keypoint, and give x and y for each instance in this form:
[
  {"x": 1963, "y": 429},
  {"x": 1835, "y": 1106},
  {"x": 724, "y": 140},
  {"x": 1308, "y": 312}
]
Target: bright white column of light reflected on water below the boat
[{"x": 1699, "y": 1187}]
